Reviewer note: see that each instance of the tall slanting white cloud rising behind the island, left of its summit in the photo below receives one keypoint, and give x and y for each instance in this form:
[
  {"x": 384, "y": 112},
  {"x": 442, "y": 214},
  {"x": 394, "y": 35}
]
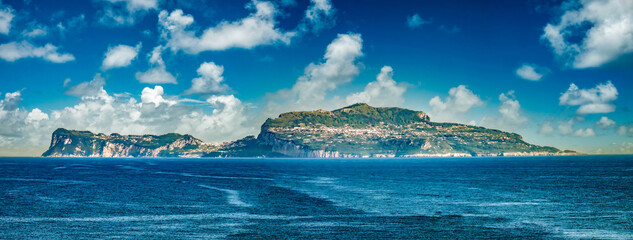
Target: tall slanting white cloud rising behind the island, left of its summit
[{"x": 339, "y": 66}]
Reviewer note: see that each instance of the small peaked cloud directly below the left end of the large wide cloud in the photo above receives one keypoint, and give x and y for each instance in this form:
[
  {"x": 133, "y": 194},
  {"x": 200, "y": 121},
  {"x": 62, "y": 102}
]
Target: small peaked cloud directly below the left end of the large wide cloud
[{"x": 158, "y": 73}]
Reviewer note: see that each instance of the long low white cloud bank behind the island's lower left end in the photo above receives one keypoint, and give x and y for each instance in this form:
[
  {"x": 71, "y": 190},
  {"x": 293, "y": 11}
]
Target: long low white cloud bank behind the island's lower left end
[{"x": 221, "y": 118}]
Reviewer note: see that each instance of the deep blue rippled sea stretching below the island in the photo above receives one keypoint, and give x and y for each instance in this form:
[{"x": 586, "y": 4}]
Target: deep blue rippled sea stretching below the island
[{"x": 452, "y": 198}]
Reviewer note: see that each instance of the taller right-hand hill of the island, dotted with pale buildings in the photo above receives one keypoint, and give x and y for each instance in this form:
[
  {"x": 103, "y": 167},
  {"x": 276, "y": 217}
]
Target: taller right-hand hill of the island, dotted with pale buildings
[{"x": 364, "y": 131}]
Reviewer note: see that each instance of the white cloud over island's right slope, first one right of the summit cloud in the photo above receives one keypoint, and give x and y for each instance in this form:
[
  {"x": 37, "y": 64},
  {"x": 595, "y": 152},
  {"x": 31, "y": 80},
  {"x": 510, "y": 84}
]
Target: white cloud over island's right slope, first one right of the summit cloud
[{"x": 455, "y": 106}]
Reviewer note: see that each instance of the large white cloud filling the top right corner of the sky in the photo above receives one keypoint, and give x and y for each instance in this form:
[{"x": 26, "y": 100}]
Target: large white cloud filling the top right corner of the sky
[{"x": 605, "y": 28}]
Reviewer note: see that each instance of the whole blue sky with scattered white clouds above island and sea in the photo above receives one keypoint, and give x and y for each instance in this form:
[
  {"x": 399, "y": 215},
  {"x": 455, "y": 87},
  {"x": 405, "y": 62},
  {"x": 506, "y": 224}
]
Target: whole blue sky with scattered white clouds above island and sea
[{"x": 557, "y": 72}]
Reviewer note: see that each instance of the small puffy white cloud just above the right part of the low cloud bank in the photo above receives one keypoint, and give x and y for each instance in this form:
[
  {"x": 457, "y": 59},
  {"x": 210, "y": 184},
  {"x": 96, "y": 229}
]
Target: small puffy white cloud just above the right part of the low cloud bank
[{"x": 210, "y": 80}]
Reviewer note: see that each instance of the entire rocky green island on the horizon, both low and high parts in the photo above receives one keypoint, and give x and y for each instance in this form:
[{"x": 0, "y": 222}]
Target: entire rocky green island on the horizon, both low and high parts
[{"x": 355, "y": 131}]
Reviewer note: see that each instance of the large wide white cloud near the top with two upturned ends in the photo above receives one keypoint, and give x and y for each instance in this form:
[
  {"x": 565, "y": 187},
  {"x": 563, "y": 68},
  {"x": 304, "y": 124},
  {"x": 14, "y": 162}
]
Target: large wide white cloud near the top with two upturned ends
[{"x": 259, "y": 28}]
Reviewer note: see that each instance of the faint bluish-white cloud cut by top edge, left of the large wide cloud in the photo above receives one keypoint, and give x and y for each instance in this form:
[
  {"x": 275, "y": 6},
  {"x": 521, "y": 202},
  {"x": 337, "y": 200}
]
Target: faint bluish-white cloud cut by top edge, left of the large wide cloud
[{"x": 124, "y": 12}]
